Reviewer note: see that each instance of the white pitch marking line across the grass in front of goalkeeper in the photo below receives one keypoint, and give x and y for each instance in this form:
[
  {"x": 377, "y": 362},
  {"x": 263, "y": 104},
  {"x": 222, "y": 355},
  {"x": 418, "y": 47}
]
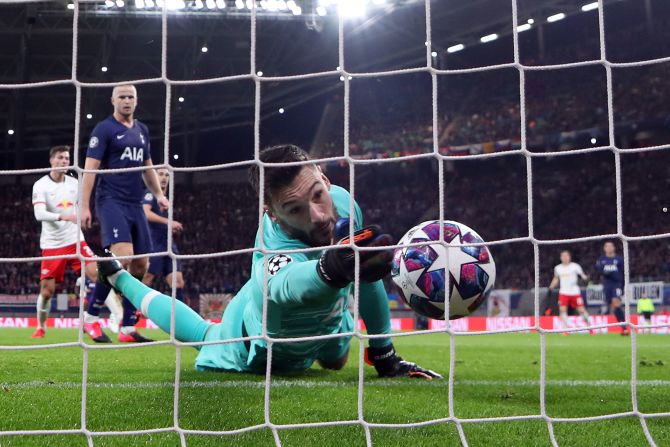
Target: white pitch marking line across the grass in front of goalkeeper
[{"x": 281, "y": 383}]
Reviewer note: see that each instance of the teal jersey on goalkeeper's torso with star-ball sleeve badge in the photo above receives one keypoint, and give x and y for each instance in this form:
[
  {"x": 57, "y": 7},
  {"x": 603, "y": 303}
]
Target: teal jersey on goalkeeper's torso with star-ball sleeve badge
[{"x": 299, "y": 303}]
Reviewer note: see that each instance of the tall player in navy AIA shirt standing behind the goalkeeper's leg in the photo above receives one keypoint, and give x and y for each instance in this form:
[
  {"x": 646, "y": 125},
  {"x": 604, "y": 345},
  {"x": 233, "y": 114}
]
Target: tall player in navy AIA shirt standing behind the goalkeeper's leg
[{"x": 120, "y": 141}]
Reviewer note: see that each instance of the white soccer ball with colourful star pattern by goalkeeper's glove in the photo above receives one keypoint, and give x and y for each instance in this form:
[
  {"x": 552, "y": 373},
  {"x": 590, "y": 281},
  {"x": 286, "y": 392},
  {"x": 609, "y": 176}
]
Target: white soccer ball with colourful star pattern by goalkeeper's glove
[{"x": 427, "y": 274}]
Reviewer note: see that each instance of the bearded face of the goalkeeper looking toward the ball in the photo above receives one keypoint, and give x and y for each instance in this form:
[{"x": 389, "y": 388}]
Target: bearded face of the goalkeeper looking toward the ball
[{"x": 304, "y": 208}]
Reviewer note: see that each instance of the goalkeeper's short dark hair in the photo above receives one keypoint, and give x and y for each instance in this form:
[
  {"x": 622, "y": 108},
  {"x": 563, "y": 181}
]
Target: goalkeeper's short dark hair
[{"x": 276, "y": 178}]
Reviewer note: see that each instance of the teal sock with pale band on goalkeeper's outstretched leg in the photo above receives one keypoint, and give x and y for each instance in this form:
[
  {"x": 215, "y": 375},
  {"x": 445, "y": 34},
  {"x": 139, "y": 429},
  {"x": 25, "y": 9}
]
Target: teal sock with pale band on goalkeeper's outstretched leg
[{"x": 189, "y": 326}]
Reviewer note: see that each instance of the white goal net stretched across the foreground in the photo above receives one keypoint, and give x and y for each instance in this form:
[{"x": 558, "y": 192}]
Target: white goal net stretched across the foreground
[{"x": 353, "y": 162}]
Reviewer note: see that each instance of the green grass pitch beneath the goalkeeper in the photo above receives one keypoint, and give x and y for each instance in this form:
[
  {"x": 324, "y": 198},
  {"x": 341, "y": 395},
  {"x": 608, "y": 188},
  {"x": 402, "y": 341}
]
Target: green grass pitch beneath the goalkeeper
[{"x": 495, "y": 375}]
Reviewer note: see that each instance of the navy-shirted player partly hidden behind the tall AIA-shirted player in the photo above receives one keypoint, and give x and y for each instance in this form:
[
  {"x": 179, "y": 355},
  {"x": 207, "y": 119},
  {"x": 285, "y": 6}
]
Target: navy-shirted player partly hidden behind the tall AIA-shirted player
[{"x": 161, "y": 266}]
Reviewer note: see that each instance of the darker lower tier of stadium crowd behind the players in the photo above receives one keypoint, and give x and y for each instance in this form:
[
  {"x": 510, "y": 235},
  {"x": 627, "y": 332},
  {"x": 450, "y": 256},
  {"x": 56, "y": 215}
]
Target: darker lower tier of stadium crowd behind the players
[{"x": 490, "y": 196}]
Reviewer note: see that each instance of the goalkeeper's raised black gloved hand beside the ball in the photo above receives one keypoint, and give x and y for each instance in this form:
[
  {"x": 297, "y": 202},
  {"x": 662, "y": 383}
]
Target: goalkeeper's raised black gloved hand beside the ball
[{"x": 336, "y": 266}]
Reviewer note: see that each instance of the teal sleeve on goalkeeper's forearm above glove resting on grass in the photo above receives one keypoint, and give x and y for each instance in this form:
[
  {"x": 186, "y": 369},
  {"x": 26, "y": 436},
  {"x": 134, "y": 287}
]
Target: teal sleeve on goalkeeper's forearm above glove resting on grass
[{"x": 375, "y": 312}]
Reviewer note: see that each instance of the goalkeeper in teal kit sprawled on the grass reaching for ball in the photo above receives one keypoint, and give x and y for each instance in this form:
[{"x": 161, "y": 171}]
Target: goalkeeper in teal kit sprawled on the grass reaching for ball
[{"x": 308, "y": 292}]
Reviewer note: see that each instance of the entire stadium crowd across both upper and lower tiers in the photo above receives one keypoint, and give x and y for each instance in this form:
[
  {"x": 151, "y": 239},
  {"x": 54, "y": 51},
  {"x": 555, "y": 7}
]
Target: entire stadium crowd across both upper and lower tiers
[{"x": 574, "y": 196}]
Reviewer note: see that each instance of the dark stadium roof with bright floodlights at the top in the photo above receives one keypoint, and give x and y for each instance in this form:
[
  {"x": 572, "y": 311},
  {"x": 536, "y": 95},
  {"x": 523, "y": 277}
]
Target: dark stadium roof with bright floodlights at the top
[{"x": 118, "y": 43}]
